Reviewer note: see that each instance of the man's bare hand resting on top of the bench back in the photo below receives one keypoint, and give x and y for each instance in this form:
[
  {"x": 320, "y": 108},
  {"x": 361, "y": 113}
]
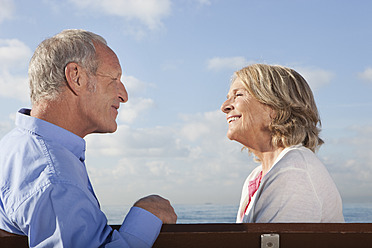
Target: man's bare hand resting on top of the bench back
[{"x": 158, "y": 206}]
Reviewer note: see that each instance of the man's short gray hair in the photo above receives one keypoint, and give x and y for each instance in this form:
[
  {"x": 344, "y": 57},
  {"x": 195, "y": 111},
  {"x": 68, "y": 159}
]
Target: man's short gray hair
[{"x": 47, "y": 66}]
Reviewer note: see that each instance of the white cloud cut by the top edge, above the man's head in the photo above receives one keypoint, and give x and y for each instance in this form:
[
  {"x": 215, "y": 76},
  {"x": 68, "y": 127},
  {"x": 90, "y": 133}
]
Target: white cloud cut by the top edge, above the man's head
[{"x": 148, "y": 12}]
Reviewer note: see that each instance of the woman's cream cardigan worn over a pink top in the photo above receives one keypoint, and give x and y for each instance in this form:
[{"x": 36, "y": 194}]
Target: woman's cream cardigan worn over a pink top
[{"x": 297, "y": 188}]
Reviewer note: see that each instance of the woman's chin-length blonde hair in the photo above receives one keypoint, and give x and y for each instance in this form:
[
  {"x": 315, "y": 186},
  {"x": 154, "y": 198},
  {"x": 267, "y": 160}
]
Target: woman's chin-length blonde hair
[{"x": 288, "y": 94}]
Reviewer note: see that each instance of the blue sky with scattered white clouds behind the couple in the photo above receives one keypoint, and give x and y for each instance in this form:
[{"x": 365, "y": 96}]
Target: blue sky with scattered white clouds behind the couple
[{"x": 178, "y": 58}]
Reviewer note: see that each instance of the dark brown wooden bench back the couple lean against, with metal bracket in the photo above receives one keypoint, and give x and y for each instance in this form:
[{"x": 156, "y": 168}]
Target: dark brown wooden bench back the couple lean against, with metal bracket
[{"x": 284, "y": 235}]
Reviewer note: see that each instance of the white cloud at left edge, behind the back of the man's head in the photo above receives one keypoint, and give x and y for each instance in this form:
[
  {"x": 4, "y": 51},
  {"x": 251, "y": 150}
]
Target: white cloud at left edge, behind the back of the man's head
[{"x": 14, "y": 57}]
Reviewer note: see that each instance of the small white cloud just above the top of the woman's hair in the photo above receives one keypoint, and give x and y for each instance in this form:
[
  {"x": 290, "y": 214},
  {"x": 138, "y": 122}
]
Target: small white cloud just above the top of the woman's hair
[{"x": 222, "y": 63}]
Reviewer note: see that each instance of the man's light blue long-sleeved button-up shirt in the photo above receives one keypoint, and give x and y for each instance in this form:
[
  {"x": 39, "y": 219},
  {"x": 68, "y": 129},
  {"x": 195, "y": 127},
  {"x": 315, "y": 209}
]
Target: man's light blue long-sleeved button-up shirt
[{"x": 46, "y": 193}]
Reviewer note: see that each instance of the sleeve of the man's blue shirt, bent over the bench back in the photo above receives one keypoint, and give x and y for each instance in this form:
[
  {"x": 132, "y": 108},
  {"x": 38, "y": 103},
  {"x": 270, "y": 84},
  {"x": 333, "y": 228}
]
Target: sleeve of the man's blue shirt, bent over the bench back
[{"x": 63, "y": 215}]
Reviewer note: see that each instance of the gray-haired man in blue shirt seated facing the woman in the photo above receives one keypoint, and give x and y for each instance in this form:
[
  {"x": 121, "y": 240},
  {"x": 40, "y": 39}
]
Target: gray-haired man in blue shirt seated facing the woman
[{"x": 46, "y": 193}]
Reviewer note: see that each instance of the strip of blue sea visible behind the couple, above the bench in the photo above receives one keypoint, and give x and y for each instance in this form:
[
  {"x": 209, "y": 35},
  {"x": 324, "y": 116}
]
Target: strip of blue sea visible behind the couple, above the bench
[{"x": 211, "y": 213}]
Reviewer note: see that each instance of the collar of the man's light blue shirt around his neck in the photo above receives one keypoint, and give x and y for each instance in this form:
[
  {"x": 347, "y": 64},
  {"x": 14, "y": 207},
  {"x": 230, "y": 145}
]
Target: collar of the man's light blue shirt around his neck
[{"x": 52, "y": 132}]
